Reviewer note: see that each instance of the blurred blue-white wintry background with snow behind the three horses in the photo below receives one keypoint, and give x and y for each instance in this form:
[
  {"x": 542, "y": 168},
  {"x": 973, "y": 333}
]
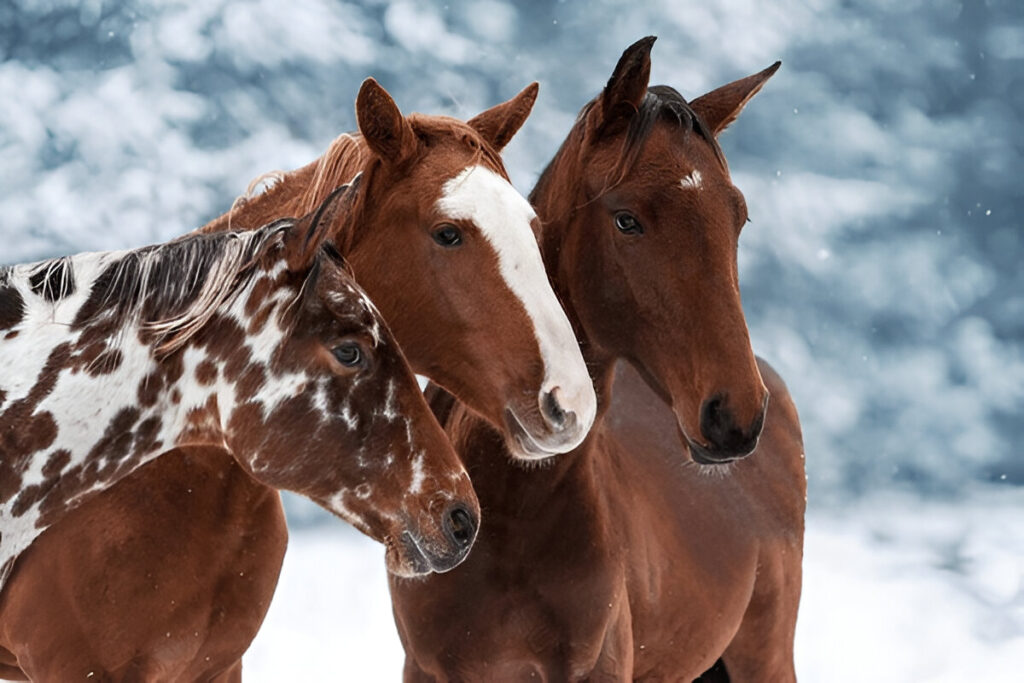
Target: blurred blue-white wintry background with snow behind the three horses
[{"x": 882, "y": 272}]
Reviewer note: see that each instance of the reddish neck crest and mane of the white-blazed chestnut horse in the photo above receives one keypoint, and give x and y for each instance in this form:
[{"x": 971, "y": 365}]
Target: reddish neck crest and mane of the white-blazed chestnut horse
[{"x": 295, "y": 193}]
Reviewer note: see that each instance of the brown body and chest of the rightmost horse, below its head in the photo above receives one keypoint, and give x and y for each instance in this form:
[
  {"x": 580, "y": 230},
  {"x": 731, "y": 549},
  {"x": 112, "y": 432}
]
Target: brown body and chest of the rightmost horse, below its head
[{"x": 649, "y": 578}]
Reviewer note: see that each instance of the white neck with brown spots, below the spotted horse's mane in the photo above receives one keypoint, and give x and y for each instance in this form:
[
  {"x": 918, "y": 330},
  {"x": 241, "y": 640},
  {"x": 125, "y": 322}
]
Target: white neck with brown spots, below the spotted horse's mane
[{"x": 90, "y": 403}]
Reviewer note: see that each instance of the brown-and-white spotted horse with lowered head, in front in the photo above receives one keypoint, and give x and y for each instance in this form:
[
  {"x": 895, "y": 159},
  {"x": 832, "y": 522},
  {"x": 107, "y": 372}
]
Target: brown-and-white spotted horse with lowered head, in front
[{"x": 259, "y": 344}]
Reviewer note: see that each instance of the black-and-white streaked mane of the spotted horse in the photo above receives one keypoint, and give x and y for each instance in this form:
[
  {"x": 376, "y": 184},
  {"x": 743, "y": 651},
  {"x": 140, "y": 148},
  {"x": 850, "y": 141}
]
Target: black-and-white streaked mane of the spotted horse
[{"x": 174, "y": 290}]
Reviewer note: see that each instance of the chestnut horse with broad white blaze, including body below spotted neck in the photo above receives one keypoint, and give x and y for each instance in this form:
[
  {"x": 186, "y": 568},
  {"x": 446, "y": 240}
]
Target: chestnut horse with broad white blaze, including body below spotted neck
[{"x": 444, "y": 245}]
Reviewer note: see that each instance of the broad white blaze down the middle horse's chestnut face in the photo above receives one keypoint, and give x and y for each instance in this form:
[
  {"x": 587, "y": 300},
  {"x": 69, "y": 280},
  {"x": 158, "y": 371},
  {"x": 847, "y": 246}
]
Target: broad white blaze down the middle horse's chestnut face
[{"x": 504, "y": 218}]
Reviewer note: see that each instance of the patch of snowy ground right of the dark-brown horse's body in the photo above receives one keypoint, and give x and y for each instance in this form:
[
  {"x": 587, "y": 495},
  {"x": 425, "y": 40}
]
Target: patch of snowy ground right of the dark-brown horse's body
[{"x": 901, "y": 590}]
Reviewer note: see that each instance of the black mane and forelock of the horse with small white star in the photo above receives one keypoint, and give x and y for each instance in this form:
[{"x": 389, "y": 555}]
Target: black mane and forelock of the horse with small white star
[{"x": 661, "y": 103}]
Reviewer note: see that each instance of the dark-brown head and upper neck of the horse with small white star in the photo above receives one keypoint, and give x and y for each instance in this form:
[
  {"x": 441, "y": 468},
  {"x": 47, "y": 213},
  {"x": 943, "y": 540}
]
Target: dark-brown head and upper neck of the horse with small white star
[{"x": 643, "y": 222}]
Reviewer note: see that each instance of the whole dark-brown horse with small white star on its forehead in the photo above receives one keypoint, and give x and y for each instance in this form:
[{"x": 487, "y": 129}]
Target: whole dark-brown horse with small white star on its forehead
[{"x": 667, "y": 540}]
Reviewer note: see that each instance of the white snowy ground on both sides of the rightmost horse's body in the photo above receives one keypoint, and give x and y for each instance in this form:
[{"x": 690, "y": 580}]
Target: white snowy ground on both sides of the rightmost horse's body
[{"x": 895, "y": 589}]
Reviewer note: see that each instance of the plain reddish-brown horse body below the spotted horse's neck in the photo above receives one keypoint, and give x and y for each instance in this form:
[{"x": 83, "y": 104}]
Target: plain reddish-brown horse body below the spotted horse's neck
[{"x": 190, "y": 628}]
